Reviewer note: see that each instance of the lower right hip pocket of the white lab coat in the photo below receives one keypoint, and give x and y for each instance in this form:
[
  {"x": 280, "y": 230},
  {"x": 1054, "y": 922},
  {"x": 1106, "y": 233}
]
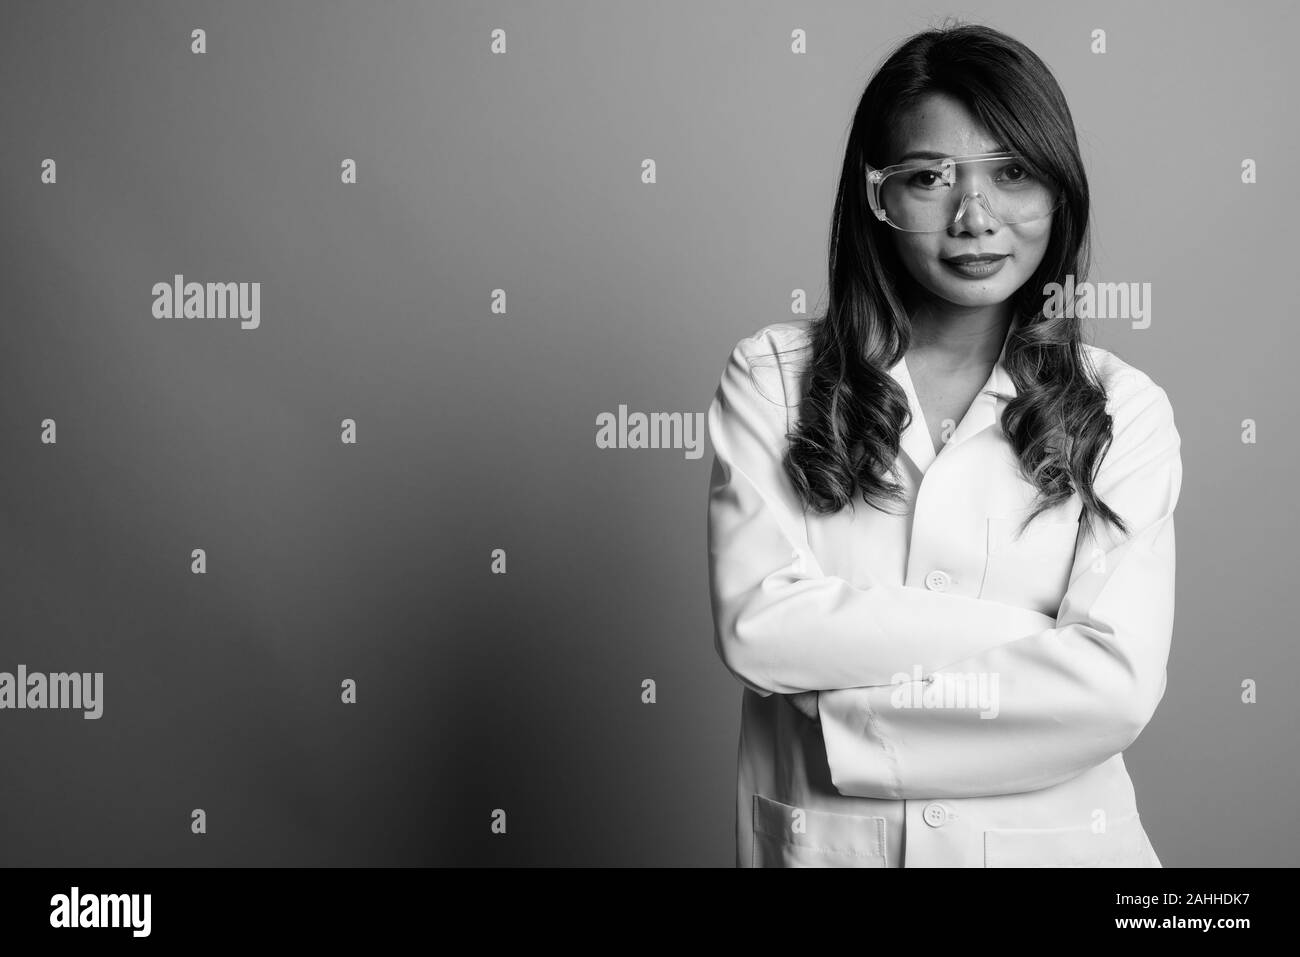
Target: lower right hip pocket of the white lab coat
[{"x": 1121, "y": 845}]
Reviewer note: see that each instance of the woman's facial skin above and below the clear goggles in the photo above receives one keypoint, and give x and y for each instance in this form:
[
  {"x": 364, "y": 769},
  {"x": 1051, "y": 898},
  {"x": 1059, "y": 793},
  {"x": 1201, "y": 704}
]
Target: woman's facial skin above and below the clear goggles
[{"x": 943, "y": 125}]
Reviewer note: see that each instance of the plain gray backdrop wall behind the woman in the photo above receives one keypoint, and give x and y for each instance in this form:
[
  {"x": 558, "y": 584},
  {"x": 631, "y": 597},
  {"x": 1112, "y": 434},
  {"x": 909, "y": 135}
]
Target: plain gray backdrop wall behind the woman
[{"x": 476, "y": 431}]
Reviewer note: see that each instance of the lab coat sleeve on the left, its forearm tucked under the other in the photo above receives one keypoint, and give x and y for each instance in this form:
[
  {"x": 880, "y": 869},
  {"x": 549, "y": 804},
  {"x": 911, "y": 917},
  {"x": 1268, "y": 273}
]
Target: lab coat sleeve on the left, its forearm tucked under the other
[{"x": 781, "y": 623}]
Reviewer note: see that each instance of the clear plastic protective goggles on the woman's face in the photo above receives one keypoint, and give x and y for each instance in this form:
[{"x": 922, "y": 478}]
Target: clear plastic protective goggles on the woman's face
[{"x": 931, "y": 196}]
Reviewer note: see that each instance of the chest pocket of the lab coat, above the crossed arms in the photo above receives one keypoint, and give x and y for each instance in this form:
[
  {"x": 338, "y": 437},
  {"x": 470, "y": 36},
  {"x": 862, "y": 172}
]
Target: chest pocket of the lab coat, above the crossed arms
[{"x": 1030, "y": 570}]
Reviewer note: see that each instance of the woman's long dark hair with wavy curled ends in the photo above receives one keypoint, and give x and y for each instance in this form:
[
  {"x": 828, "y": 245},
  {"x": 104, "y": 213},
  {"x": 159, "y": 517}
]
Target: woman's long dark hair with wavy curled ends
[{"x": 1058, "y": 423}]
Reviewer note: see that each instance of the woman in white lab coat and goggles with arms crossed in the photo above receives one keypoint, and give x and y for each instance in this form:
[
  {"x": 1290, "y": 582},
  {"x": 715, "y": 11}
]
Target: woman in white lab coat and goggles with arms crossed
[{"x": 941, "y": 526}]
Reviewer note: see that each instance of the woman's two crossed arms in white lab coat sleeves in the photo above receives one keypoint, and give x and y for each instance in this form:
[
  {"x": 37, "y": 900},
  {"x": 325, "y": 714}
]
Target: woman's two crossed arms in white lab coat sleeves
[{"x": 1072, "y": 691}]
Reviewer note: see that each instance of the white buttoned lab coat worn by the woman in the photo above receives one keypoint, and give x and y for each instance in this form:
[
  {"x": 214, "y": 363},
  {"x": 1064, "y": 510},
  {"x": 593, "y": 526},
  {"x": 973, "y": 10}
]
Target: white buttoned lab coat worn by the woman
[{"x": 1059, "y": 643}]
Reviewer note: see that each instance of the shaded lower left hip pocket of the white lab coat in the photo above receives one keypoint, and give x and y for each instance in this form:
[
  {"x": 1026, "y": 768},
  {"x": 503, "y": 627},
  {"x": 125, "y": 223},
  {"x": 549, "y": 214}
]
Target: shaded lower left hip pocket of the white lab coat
[{"x": 790, "y": 837}]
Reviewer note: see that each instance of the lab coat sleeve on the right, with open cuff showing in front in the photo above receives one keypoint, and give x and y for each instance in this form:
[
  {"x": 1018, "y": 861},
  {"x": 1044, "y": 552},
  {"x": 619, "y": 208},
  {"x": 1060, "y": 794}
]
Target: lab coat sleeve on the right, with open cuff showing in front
[{"x": 1058, "y": 701}]
